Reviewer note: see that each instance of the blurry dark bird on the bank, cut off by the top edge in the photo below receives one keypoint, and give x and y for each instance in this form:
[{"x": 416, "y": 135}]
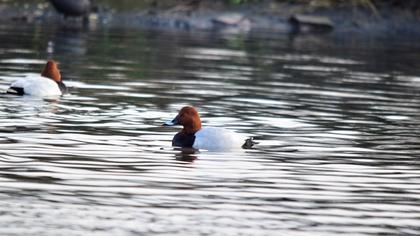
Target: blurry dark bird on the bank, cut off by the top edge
[{"x": 72, "y": 7}]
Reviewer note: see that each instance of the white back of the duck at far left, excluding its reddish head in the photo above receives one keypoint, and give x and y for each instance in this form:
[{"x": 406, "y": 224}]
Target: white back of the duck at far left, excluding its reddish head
[{"x": 37, "y": 86}]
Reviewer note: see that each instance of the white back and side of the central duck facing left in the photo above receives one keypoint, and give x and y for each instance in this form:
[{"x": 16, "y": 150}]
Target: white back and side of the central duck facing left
[{"x": 218, "y": 139}]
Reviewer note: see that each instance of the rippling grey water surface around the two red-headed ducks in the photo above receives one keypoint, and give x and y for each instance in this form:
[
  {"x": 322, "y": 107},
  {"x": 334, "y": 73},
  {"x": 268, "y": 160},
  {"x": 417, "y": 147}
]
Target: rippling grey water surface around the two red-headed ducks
[{"x": 337, "y": 121}]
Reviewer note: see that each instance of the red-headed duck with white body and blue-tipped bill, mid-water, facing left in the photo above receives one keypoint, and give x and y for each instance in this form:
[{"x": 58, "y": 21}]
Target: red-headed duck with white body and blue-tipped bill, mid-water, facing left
[{"x": 193, "y": 135}]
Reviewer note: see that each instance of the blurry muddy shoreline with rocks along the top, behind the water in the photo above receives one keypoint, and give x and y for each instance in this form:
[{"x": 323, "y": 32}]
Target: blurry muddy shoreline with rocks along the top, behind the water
[{"x": 276, "y": 18}]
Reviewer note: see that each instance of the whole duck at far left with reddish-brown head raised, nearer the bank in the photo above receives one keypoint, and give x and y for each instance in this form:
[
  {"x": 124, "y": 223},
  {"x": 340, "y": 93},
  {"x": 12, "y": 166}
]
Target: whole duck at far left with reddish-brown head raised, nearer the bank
[{"x": 49, "y": 83}]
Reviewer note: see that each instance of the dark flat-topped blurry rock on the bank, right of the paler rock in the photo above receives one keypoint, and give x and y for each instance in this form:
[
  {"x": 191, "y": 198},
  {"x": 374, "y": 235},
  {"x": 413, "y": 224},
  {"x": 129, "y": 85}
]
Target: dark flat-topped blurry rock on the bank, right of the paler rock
[{"x": 310, "y": 24}]
